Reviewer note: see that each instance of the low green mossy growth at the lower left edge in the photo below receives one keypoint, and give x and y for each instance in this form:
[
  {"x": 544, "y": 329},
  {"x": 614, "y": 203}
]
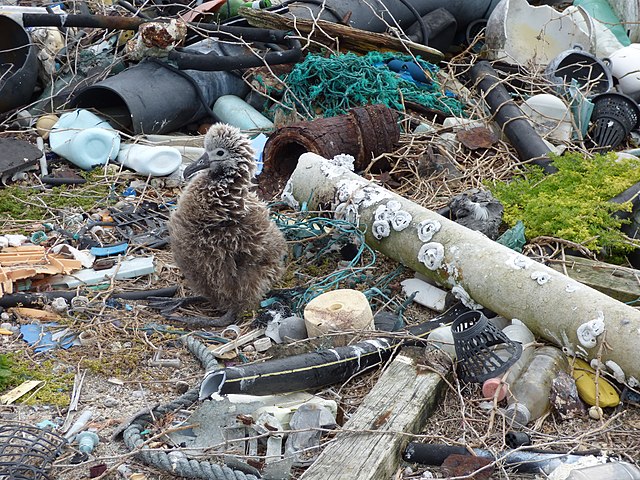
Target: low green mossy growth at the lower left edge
[{"x": 18, "y": 369}]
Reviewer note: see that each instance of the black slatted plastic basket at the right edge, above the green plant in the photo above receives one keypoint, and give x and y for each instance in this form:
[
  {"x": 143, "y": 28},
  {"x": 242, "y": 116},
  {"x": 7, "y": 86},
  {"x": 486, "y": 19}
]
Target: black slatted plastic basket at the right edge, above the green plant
[{"x": 614, "y": 116}]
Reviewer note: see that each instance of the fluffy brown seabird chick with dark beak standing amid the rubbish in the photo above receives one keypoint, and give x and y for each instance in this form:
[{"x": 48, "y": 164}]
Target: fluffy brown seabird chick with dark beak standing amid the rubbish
[{"x": 221, "y": 236}]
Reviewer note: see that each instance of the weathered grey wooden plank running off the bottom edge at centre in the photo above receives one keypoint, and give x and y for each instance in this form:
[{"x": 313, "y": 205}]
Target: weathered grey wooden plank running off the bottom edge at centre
[{"x": 400, "y": 402}]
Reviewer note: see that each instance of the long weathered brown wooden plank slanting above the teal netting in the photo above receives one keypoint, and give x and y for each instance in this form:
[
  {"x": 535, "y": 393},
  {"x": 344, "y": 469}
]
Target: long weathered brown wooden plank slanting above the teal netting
[{"x": 339, "y": 36}]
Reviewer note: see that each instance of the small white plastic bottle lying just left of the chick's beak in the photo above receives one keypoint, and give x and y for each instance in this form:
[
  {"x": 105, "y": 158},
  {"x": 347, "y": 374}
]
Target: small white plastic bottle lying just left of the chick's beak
[{"x": 156, "y": 161}]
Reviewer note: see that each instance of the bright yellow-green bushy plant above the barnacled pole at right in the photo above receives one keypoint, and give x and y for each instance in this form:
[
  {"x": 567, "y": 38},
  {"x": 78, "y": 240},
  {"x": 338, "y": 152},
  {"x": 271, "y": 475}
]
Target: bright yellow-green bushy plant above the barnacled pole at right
[{"x": 572, "y": 203}]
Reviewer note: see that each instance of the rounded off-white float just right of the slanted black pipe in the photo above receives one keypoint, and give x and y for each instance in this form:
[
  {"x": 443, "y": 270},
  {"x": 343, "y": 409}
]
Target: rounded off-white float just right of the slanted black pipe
[{"x": 550, "y": 116}]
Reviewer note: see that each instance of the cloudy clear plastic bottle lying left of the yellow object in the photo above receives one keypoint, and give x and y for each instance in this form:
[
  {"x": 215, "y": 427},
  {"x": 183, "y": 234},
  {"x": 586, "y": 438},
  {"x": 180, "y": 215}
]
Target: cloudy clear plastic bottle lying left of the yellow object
[{"x": 530, "y": 393}]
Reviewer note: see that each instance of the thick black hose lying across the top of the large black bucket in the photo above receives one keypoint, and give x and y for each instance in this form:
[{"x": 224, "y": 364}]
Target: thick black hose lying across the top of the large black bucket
[{"x": 216, "y": 63}]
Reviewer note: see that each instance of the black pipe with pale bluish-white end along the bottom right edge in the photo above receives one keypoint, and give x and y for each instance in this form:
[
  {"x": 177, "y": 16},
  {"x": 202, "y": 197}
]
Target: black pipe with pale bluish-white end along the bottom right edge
[{"x": 522, "y": 461}]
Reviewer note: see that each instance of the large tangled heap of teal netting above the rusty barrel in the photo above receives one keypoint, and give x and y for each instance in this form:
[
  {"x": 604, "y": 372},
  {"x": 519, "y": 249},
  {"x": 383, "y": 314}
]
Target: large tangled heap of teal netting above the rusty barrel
[{"x": 330, "y": 86}]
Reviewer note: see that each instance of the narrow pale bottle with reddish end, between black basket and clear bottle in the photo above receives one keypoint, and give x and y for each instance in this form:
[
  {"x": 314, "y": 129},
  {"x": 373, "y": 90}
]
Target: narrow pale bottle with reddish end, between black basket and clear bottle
[{"x": 518, "y": 332}]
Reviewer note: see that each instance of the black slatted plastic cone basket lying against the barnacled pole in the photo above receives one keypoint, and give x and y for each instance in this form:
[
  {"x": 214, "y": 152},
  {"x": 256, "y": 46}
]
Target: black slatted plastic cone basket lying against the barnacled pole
[{"x": 474, "y": 339}]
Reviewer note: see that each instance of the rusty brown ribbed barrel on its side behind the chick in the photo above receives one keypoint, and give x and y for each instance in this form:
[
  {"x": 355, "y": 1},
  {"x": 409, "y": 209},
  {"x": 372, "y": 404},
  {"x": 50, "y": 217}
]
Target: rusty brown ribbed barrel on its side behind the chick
[{"x": 364, "y": 132}]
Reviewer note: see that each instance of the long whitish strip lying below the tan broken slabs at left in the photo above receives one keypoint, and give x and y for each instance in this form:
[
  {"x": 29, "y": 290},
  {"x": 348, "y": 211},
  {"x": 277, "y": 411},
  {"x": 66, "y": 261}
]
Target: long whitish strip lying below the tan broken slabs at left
[{"x": 129, "y": 268}]
